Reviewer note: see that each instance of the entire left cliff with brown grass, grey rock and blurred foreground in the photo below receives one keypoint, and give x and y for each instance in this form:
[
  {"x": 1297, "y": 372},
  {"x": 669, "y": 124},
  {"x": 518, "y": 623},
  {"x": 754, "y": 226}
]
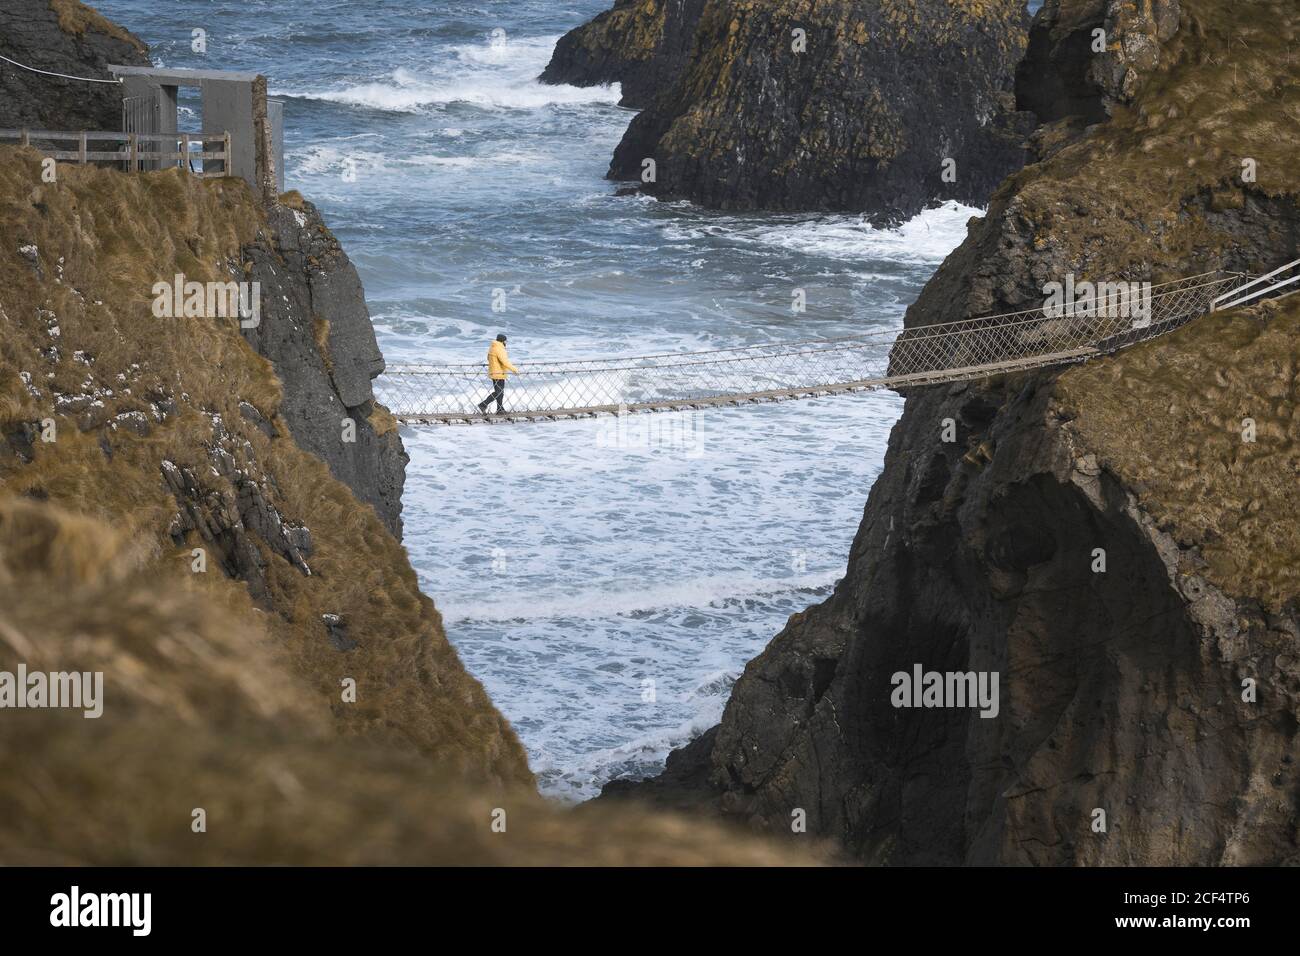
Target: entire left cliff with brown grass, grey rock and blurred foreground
[{"x": 275, "y": 687}]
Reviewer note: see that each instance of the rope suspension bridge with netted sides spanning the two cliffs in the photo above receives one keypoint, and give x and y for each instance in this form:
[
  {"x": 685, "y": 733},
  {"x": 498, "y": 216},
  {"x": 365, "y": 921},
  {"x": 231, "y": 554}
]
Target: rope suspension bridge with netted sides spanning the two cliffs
[{"x": 1113, "y": 319}]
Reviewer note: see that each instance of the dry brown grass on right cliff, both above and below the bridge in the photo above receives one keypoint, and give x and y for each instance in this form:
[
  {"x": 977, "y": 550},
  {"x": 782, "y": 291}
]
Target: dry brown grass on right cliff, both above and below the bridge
[{"x": 1168, "y": 417}]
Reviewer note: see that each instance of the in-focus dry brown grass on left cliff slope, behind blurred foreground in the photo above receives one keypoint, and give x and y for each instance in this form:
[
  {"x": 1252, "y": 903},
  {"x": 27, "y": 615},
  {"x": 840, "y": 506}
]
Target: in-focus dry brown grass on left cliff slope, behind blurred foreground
[{"x": 116, "y": 236}]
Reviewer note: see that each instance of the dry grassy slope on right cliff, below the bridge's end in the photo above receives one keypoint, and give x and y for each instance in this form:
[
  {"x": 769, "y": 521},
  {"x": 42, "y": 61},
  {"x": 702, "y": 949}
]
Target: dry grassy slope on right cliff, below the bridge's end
[{"x": 1173, "y": 418}]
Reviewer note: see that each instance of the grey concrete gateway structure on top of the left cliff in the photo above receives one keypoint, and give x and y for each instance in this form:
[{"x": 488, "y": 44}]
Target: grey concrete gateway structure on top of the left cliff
[{"x": 235, "y": 103}]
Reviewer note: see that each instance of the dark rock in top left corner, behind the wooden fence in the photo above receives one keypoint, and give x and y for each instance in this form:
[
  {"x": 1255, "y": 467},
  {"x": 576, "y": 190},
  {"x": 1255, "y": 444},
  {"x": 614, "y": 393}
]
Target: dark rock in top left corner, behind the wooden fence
[{"x": 62, "y": 37}]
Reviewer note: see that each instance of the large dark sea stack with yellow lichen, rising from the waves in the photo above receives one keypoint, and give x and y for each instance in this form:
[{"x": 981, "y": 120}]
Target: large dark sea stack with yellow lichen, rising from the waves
[{"x": 882, "y": 107}]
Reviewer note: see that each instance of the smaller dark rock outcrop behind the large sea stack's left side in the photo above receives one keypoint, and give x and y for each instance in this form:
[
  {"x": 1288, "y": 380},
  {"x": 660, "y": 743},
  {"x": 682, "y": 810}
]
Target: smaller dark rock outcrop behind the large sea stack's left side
[{"x": 643, "y": 45}]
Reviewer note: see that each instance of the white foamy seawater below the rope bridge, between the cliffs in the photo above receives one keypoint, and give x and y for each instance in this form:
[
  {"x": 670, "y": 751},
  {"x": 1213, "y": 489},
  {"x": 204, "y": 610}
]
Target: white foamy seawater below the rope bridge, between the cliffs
[{"x": 632, "y": 565}]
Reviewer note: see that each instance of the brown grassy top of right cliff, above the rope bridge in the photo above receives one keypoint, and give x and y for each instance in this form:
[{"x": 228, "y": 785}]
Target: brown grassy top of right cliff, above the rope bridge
[{"x": 1227, "y": 93}]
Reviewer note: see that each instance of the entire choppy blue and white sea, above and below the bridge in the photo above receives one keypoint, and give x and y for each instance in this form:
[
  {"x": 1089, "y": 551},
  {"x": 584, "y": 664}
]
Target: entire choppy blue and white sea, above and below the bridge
[{"x": 608, "y": 594}]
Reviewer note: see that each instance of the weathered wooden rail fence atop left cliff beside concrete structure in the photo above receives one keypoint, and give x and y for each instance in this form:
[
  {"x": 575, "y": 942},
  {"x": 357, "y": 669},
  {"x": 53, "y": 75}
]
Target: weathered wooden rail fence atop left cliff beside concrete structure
[{"x": 135, "y": 150}]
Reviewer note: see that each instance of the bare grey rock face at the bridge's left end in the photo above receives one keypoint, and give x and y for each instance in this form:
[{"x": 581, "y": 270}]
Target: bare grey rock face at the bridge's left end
[{"x": 317, "y": 331}]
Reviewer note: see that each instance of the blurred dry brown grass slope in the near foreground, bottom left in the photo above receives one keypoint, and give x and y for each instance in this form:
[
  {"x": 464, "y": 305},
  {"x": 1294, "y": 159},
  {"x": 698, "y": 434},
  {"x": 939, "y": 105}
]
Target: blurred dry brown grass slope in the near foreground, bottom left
[{"x": 200, "y": 712}]
